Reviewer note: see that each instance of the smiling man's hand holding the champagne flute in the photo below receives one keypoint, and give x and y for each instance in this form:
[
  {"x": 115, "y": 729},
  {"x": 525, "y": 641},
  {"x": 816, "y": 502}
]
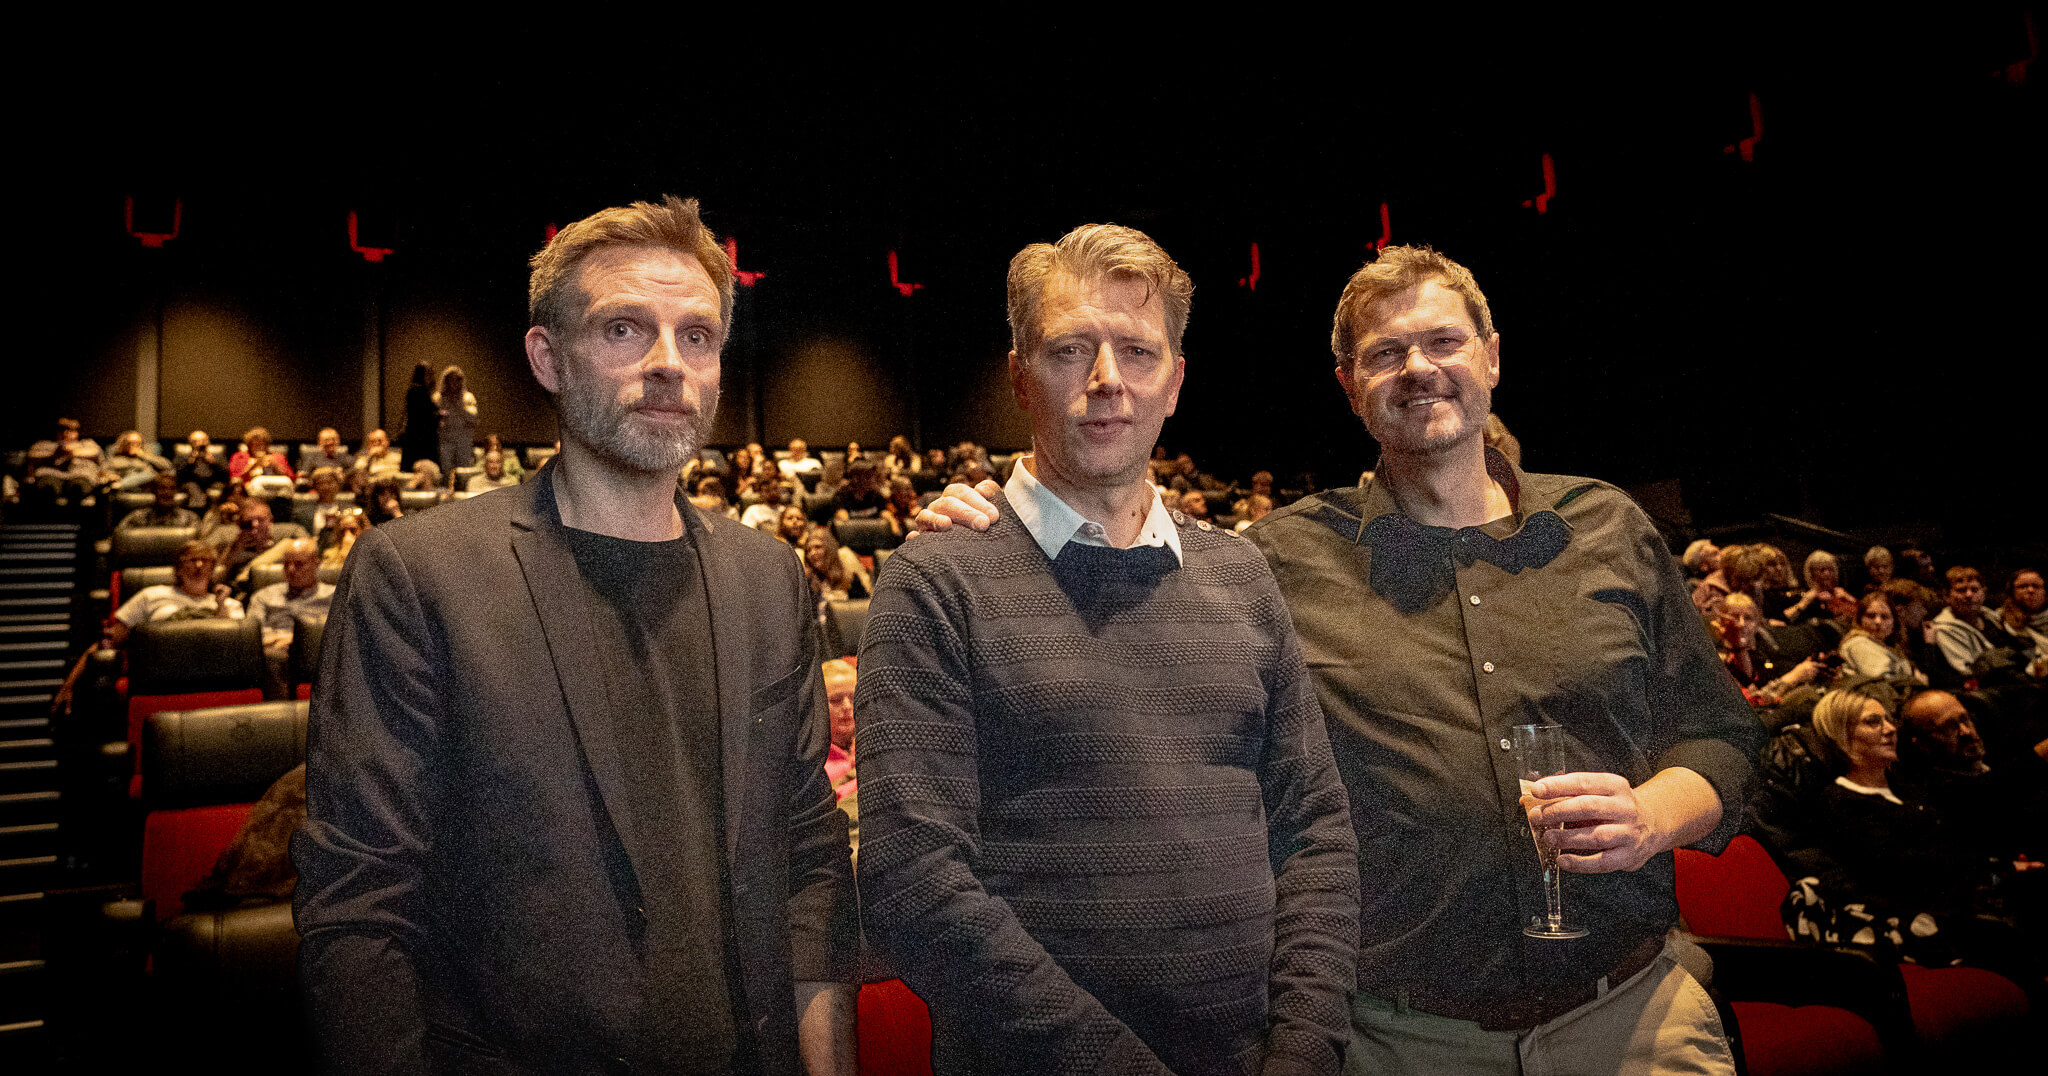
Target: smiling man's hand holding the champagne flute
[{"x": 1615, "y": 827}]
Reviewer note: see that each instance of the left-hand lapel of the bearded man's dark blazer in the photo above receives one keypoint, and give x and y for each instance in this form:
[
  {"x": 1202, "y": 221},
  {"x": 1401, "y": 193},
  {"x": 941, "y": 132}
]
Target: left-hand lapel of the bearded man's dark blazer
[{"x": 560, "y": 599}]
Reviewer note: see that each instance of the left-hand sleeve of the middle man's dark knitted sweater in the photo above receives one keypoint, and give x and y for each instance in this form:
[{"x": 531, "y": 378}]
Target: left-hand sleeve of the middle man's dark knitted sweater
[{"x": 957, "y": 946}]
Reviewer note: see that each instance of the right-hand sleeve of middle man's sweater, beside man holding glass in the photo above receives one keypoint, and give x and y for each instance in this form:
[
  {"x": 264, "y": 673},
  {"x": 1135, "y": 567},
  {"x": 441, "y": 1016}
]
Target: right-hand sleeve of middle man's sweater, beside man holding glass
[{"x": 1316, "y": 878}]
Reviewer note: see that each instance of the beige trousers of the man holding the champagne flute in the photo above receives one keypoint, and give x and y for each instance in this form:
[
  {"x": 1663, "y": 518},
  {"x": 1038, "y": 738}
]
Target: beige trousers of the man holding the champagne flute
[{"x": 1658, "y": 1024}]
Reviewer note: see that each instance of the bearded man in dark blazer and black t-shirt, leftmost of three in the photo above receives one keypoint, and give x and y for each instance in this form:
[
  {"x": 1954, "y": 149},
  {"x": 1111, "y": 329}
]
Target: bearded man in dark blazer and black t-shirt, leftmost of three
[{"x": 566, "y": 794}]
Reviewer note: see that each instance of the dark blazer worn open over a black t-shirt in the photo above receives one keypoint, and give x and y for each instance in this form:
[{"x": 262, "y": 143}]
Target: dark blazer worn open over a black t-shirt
[{"x": 462, "y": 901}]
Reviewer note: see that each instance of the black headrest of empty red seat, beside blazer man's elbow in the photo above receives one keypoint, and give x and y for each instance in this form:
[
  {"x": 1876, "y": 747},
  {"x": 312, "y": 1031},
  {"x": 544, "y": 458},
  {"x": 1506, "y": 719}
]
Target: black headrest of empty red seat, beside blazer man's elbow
[{"x": 222, "y": 755}]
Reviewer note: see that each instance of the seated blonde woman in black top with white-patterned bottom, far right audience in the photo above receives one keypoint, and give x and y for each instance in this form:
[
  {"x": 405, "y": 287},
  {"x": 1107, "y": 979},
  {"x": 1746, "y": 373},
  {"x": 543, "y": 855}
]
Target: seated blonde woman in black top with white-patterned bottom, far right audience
[{"x": 1871, "y": 868}]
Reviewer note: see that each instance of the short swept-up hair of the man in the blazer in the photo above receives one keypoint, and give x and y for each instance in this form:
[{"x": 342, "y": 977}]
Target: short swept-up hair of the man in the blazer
[{"x": 554, "y": 294}]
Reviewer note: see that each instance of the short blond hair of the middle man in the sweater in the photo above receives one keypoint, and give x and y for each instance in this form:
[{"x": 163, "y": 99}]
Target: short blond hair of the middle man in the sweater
[{"x": 1086, "y": 253}]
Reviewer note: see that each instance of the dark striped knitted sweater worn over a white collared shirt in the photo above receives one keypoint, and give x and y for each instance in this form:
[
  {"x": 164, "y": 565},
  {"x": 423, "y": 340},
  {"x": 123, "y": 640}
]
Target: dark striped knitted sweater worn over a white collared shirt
[{"x": 1103, "y": 825}]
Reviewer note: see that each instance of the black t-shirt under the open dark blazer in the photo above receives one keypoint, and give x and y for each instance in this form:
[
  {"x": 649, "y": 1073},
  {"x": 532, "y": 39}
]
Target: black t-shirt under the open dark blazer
[{"x": 652, "y": 624}]
